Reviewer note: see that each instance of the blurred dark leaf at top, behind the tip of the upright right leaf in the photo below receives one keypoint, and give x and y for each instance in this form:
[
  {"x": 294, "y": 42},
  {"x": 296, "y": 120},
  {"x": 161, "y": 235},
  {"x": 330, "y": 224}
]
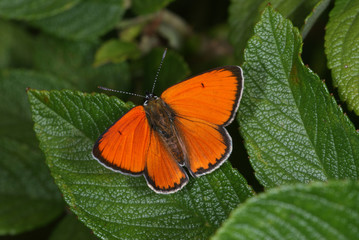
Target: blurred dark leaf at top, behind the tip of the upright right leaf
[{"x": 244, "y": 14}]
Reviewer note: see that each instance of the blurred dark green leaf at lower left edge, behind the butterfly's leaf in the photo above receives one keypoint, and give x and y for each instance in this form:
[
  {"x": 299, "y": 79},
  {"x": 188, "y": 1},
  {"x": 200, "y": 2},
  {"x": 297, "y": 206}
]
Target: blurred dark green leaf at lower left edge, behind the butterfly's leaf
[{"x": 28, "y": 196}]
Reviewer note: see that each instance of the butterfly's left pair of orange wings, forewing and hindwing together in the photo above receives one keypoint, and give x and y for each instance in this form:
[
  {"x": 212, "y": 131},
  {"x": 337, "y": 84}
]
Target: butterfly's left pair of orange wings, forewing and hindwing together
[{"x": 131, "y": 147}]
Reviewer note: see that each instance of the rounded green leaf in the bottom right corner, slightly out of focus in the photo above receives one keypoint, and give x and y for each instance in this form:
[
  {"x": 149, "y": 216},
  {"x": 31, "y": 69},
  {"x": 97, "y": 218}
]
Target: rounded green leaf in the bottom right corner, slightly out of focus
[{"x": 314, "y": 211}]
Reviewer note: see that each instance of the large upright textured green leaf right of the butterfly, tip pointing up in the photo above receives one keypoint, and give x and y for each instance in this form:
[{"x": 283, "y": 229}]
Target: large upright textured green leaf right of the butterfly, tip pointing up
[{"x": 293, "y": 129}]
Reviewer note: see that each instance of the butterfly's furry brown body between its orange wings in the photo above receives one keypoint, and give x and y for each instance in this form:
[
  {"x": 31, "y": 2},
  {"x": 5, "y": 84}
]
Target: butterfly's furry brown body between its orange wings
[{"x": 161, "y": 118}]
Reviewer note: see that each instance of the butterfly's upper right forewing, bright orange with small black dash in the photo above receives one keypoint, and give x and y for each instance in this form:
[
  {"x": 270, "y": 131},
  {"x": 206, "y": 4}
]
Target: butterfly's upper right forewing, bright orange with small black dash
[{"x": 212, "y": 96}]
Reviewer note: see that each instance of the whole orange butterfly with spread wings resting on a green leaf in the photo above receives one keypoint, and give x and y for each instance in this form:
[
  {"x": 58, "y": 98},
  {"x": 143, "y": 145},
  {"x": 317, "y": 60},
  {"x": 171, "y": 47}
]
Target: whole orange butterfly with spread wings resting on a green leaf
[{"x": 183, "y": 127}]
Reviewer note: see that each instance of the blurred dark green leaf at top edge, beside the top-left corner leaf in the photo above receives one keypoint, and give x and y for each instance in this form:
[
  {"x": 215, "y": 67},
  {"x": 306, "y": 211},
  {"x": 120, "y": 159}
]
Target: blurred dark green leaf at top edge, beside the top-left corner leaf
[{"x": 87, "y": 20}]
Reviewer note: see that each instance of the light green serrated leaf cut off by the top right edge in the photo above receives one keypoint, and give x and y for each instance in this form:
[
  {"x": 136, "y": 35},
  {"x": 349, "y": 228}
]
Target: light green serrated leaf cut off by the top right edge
[{"x": 341, "y": 47}]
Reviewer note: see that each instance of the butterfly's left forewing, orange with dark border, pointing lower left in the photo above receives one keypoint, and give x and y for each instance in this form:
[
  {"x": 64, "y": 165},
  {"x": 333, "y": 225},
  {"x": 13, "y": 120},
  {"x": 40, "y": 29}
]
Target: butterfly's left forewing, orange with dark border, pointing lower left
[{"x": 123, "y": 146}]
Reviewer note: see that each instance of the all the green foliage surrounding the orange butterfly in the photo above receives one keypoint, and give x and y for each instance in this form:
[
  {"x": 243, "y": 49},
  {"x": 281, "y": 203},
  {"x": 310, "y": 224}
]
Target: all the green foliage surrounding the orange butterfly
[{"x": 303, "y": 150}]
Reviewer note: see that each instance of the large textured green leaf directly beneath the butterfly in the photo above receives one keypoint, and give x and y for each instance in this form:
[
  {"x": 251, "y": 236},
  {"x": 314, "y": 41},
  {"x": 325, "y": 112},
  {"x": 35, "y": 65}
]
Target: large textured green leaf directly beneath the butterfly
[{"x": 113, "y": 205}]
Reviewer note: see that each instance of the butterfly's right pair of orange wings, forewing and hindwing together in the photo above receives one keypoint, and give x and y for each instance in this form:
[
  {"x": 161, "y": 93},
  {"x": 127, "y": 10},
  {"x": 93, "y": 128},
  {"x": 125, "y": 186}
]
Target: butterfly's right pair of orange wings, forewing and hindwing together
[{"x": 204, "y": 105}]
